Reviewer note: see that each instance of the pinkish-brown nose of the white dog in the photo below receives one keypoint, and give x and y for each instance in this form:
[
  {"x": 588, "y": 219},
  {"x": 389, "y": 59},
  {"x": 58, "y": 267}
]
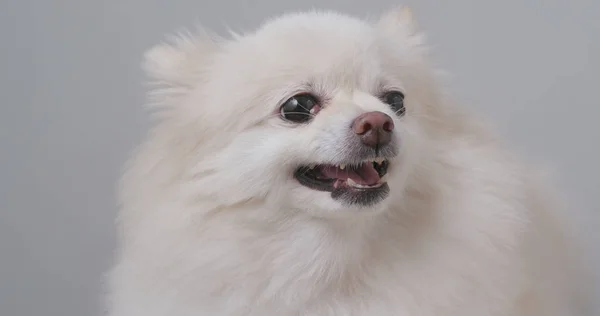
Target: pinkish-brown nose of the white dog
[{"x": 374, "y": 128}]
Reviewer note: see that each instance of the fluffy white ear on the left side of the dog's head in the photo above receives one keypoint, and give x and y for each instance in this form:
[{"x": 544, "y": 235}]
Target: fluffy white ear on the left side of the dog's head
[{"x": 181, "y": 58}]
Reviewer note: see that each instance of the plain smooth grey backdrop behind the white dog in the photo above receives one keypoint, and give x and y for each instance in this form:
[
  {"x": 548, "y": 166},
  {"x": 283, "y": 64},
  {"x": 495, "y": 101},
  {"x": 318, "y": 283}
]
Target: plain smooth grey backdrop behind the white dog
[{"x": 72, "y": 95}]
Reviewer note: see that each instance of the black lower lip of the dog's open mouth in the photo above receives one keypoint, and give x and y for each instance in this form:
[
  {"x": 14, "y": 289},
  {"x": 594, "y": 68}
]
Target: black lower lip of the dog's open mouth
[{"x": 347, "y": 195}]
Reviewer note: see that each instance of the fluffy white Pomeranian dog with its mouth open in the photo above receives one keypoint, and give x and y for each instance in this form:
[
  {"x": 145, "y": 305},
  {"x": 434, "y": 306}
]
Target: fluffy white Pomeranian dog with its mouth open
[{"x": 315, "y": 167}]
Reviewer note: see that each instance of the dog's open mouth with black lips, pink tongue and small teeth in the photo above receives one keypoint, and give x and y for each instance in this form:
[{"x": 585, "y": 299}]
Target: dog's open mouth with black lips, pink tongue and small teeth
[{"x": 363, "y": 183}]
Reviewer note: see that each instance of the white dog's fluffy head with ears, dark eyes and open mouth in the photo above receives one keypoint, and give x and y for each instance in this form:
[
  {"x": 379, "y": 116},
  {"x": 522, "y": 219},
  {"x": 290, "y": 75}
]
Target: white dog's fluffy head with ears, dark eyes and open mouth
[{"x": 313, "y": 112}]
